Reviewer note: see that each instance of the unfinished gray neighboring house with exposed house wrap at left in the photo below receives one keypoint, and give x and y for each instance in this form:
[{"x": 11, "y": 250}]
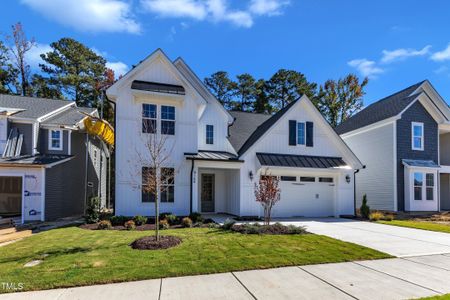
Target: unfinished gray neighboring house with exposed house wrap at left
[{"x": 49, "y": 165}]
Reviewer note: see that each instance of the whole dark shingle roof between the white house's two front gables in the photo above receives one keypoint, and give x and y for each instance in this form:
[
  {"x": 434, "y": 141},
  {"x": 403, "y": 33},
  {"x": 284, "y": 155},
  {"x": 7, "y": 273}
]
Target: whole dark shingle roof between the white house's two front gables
[{"x": 254, "y": 131}]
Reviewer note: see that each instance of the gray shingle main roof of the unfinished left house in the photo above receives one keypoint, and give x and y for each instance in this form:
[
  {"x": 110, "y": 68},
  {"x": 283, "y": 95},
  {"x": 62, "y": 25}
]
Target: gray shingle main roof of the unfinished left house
[{"x": 33, "y": 107}]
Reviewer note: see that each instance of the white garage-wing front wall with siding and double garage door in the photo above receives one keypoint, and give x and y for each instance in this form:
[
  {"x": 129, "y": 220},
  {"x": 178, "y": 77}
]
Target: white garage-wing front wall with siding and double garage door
[{"x": 337, "y": 199}]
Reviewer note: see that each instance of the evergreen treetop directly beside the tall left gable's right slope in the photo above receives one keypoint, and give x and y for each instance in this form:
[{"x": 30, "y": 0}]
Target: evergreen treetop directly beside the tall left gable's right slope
[{"x": 221, "y": 86}]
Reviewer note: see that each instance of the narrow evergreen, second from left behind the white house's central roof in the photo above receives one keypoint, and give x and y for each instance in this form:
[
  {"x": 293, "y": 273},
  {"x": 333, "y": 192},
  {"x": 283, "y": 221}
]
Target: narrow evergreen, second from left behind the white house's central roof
[{"x": 245, "y": 90}]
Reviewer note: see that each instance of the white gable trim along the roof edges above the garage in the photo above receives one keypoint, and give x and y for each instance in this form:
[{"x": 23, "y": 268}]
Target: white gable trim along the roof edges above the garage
[{"x": 348, "y": 156}]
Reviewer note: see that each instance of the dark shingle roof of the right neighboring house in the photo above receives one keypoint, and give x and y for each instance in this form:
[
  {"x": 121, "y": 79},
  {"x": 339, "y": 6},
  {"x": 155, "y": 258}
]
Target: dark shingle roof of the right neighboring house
[{"x": 380, "y": 110}]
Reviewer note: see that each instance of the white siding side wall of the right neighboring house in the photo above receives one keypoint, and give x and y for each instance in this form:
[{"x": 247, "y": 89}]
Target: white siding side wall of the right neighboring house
[{"x": 376, "y": 150}]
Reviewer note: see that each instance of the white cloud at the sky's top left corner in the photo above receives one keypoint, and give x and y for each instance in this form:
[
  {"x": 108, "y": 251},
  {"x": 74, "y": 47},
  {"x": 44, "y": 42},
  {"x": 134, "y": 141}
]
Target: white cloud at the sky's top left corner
[{"x": 89, "y": 15}]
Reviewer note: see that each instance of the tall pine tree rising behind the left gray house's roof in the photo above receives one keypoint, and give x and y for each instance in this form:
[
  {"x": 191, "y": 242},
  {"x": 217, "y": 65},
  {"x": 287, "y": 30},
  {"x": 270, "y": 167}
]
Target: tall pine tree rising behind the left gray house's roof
[{"x": 76, "y": 69}]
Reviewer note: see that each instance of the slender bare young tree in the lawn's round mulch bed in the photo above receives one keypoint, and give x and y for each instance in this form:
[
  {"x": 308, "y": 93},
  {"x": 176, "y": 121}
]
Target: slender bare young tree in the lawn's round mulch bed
[{"x": 154, "y": 161}]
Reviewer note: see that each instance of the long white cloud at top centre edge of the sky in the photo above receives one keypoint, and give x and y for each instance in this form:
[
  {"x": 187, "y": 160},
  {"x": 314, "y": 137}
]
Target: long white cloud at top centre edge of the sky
[{"x": 214, "y": 10}]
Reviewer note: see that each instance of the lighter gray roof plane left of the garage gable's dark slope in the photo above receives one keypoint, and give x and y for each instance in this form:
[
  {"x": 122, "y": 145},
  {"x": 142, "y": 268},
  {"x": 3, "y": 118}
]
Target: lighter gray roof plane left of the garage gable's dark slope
[{"x": 244, "y": 125}]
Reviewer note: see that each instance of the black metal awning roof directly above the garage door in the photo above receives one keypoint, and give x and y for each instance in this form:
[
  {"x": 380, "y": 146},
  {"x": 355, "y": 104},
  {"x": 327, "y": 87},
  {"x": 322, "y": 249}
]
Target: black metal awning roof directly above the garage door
[{"x": 299, "y": 161}]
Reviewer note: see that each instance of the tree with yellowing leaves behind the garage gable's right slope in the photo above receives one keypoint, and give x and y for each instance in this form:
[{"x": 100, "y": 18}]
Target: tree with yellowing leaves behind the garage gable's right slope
[{"x": 339, "y": 100}]
